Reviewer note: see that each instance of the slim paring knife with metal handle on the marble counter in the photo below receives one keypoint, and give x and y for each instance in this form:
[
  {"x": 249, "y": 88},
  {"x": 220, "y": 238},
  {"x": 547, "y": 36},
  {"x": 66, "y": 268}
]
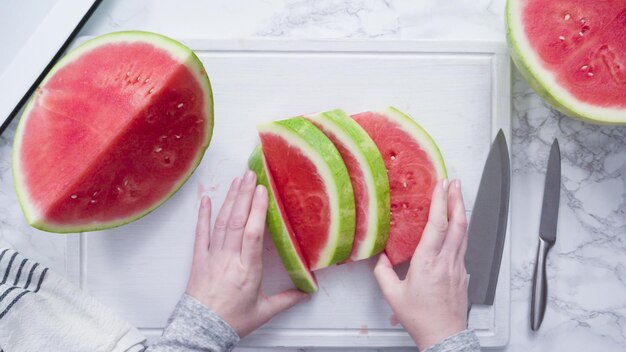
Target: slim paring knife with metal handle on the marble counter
[{"x": 547, "y": 235}]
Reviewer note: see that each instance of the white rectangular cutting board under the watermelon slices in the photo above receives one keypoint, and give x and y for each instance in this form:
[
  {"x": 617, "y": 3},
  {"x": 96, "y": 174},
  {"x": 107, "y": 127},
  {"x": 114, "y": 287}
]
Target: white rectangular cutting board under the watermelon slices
[{"x": 459, "y": 92}]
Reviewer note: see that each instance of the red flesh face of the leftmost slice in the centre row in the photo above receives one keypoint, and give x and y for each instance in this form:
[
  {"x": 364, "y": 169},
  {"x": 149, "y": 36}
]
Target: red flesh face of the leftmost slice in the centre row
[{"x": 303, "y": 195}]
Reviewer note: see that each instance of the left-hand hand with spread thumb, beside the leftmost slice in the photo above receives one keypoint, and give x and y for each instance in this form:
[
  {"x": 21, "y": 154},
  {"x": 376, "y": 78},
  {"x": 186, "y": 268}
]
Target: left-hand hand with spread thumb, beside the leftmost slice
[{"x": 227, "y": 265}]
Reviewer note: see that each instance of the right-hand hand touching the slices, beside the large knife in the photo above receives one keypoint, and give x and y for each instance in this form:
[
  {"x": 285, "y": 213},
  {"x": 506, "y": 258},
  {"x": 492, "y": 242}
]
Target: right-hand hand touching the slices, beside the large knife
[{"x": 431, "y": 302}]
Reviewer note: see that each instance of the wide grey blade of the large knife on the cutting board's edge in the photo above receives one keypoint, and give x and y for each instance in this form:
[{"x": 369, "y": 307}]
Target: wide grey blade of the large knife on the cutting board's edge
[{"x": 487, "y": 227}]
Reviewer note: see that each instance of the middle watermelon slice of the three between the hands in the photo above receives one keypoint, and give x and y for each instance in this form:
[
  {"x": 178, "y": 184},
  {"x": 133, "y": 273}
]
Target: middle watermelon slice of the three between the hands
[{"x": 369, "y": 180}]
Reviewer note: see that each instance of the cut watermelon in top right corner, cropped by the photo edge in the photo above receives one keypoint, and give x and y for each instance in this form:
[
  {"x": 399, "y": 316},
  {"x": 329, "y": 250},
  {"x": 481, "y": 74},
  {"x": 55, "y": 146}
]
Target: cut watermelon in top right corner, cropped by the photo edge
[{"x": 573, "y": 53}]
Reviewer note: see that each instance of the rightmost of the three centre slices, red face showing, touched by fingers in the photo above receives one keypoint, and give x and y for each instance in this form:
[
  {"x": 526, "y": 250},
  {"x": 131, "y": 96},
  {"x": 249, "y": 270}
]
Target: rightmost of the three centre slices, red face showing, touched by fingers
[{"x": 414, "y": 165}]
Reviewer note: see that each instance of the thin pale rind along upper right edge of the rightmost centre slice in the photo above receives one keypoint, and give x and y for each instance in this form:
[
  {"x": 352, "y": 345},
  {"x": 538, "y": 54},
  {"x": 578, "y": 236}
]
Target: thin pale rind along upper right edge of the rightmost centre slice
[{"x": 417, "y": 132}]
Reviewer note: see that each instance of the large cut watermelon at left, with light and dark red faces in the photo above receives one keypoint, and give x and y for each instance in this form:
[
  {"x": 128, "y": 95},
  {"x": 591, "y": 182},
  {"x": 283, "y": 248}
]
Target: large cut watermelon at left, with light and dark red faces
[{"x": 115, "y": 128}]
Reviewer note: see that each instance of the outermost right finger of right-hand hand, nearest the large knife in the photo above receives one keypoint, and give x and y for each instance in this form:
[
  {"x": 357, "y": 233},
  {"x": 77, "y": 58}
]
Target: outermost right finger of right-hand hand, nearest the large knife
[{"x": 457, "y": 227}]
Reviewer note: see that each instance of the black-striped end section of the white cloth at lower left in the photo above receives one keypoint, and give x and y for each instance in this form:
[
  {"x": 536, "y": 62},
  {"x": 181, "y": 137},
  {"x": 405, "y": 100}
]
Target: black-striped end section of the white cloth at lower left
[{"x": 20, "y": 277}]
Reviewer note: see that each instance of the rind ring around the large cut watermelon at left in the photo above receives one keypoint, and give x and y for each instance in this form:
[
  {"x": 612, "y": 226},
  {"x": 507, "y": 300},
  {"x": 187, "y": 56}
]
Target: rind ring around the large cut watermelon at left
[{"x": 182, "y": 54}]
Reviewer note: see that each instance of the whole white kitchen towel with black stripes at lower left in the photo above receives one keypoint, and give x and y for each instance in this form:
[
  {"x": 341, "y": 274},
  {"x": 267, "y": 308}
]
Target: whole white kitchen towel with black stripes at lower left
[{"x": 41, "y": 311}]
